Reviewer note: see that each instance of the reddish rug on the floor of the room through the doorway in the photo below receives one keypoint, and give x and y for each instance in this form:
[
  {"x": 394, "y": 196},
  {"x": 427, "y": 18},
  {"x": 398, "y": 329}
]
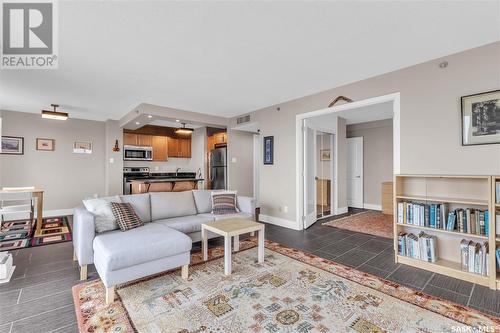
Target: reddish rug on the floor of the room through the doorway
[{"x": 369, "y": 222}]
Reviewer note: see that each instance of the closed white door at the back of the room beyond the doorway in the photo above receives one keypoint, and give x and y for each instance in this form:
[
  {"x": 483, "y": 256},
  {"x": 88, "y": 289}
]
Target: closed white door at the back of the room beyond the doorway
[{"x": 355, "y": 172}]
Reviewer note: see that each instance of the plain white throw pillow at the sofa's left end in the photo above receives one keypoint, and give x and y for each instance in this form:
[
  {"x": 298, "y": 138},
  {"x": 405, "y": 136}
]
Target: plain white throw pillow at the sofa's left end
[{"x": 101, "y": 209}]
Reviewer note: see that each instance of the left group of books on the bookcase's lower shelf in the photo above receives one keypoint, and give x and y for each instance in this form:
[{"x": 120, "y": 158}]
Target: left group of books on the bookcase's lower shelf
[{"x": 423, "y": 246}]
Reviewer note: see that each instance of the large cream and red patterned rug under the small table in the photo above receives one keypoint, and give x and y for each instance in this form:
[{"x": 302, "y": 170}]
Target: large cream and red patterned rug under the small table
[{"x": 291, "y": 292}]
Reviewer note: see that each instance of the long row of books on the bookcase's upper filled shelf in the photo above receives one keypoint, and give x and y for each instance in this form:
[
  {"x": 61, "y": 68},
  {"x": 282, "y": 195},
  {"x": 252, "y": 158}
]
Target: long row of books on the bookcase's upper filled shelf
[{"x": 472, "y": 221}]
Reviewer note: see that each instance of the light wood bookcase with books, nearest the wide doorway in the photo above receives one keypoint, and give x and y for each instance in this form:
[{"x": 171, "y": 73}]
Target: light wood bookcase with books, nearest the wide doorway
[{"x": 451, "y": 193}]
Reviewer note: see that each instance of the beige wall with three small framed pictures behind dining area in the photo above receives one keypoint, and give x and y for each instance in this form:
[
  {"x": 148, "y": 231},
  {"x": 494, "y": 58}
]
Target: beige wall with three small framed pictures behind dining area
[{"x": 65, "y": 177}]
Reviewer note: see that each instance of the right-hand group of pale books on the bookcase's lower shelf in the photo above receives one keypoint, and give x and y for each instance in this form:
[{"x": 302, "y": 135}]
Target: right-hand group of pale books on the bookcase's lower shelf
[{"x": 474, "y": 257}]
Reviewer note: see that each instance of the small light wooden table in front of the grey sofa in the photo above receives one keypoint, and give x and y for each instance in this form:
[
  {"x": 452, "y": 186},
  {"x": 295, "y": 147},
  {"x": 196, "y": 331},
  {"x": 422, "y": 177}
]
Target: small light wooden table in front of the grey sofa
[{"x": 232, "y": 228}]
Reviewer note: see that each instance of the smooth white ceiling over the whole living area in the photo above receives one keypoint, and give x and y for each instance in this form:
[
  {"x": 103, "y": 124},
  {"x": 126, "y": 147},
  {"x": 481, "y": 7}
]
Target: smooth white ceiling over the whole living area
[{"x": 228, "y": 58}]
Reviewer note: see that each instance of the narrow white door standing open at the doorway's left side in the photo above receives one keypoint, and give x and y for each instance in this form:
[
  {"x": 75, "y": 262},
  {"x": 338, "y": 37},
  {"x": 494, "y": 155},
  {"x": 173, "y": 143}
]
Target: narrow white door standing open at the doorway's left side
[{"x": 310, "y": 214}]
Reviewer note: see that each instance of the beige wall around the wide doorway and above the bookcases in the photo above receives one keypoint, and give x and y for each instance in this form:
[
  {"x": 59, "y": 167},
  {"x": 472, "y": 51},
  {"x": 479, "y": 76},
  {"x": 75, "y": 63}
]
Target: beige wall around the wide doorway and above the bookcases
[{"x": 430, "y": 122}]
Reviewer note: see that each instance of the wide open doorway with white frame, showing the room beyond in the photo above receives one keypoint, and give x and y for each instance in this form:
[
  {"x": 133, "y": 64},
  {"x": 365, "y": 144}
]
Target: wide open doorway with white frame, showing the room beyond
[{"x": 364, "y": 157}]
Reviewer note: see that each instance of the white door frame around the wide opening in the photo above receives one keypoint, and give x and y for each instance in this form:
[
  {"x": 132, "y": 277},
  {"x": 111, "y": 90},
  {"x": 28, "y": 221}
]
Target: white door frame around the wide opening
[{"x": 395, "y": 98}]
